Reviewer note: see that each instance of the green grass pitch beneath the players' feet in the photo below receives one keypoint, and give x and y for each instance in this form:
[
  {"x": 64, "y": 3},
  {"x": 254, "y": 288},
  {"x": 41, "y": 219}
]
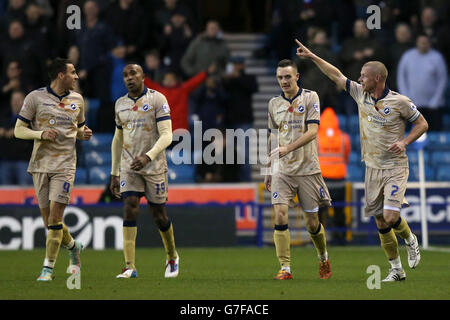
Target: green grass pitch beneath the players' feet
[{"x": 224, "y": 273}]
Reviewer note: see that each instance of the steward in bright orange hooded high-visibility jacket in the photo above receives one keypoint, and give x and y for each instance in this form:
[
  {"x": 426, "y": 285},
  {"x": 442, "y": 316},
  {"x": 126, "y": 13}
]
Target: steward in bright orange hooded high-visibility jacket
[{"x": 333, "y": 147}]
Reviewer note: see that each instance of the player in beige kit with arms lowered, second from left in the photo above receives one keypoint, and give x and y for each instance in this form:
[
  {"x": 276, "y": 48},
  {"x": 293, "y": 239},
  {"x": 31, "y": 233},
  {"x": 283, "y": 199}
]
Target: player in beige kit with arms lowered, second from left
[{"x": 139, "y": 167}]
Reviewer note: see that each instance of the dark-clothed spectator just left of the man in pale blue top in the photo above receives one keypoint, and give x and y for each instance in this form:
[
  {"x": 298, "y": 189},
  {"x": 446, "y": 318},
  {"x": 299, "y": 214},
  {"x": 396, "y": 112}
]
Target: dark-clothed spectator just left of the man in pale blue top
[{"x": 403, "y": 42}]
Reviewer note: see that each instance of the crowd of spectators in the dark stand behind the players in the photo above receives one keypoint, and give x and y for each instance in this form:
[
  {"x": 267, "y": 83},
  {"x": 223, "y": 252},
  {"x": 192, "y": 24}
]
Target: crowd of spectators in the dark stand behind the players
[{"x": 180, "y": 45}]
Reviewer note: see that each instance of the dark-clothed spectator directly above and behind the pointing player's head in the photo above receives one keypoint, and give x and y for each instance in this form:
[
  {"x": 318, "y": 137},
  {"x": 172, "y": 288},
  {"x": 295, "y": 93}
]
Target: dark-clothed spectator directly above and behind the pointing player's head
[{"x": 355, "y": 52}]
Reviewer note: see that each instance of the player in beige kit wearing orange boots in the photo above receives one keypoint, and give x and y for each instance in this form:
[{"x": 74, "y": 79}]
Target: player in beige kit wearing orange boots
[{"x": 295, "y": 114}]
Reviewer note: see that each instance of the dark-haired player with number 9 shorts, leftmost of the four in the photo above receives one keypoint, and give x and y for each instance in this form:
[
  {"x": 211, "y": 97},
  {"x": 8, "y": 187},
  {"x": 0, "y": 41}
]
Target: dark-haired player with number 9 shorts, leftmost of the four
[{"x": 54, "y": 118}]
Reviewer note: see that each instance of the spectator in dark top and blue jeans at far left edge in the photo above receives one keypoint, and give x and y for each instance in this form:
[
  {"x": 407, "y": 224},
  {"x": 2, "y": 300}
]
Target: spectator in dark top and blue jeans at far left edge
[{"x": 15, "y": 162}]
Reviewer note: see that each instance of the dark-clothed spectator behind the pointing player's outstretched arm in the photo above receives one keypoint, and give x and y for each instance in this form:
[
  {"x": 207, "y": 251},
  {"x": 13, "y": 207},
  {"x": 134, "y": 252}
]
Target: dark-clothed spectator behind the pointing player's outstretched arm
[{"x": 309, "y": 76}]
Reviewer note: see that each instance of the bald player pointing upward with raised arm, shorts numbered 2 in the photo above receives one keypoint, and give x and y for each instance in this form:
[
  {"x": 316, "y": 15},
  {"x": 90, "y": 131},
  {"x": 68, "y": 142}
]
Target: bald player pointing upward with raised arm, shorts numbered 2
[{"x": 382, "y": 119}]
